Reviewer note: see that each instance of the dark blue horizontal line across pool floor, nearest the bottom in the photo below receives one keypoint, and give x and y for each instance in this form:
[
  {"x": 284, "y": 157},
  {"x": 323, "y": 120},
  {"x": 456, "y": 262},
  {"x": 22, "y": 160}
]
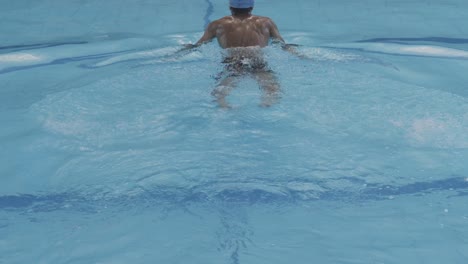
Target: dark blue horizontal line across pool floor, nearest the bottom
[{"x": 173, "y": 195}]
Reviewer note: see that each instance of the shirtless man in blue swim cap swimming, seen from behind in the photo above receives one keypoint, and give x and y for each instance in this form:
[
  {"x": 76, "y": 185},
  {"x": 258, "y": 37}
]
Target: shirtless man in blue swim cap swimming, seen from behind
[{"x": 243, "y": 35}]
